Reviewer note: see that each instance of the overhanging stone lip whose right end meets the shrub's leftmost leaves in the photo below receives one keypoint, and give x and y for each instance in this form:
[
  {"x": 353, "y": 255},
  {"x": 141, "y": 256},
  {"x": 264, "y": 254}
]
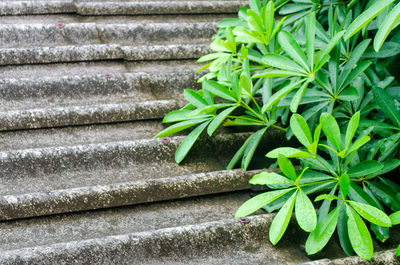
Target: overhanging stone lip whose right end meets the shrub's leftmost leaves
[{"x": 85, "y": 115}]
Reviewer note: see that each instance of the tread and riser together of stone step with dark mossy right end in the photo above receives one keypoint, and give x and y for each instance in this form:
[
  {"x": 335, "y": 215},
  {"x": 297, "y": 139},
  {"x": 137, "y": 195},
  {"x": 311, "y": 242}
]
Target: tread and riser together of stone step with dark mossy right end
[{"x": 129, "y": 81}]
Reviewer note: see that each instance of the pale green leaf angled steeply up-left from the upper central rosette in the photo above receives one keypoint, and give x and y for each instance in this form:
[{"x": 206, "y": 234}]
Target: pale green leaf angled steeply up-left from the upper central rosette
[{"x": 292, "y": 48}]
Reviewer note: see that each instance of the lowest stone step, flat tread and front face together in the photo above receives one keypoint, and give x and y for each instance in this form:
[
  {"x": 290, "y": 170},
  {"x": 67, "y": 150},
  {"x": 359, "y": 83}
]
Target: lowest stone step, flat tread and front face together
[{"x": 190, "y": 231}]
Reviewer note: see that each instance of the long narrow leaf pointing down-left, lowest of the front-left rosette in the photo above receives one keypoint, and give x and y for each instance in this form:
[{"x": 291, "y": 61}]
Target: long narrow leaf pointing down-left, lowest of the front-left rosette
[{"x": 281, "y": 220}]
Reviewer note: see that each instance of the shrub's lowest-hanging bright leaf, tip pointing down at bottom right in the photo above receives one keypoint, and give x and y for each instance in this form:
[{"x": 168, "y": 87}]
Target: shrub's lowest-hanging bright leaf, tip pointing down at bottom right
[{"x": 359, "y": 235}]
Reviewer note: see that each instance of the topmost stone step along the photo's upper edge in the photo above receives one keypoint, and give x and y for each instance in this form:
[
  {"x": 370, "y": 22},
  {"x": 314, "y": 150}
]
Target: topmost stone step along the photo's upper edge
[{"x": 120, "y": 7}]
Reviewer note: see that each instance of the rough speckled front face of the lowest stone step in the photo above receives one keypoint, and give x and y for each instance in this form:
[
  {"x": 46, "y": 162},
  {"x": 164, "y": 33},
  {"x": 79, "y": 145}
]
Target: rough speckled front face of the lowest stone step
[{"x": 176, "y": 245}]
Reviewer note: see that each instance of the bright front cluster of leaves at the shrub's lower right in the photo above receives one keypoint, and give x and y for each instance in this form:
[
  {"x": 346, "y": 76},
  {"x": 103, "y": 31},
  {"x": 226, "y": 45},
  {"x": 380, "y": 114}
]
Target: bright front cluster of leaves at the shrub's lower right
[{"x": 357, "y": 186}]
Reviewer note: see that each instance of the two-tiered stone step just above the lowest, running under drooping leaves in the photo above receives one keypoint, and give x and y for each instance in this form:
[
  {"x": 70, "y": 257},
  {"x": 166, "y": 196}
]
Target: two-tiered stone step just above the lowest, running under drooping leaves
[{"x": 82, "y": 168}]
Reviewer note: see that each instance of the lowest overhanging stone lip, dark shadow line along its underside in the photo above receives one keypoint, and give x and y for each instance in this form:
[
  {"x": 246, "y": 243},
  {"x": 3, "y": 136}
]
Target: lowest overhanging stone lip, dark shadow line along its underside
[{"x": 96, "y": 197}]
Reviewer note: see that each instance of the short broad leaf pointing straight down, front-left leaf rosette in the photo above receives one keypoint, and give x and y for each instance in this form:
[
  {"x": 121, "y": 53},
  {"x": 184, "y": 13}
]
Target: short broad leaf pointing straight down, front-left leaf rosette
[{"x": 305, "y": 212}]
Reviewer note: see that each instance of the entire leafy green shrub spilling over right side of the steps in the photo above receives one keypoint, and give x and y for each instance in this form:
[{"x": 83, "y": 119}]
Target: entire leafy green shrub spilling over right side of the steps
[{"x": 305, "y": 66}]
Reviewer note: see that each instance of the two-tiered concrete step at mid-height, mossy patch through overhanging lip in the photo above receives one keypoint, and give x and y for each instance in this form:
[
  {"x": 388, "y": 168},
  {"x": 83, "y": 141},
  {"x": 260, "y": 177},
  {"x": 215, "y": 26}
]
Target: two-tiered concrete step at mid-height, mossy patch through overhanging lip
[{"x": 91, "y": 93}]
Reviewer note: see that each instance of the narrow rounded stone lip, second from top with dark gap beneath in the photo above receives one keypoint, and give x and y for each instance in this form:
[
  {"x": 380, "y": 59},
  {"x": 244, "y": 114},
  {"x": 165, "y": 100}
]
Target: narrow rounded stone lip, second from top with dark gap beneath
[{"x": 15, "y": 56}]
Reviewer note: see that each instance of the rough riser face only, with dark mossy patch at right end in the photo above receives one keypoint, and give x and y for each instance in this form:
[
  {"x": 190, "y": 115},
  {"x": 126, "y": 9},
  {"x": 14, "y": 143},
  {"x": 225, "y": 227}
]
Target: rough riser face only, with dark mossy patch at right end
[{"x": 161, "y": 86}]
